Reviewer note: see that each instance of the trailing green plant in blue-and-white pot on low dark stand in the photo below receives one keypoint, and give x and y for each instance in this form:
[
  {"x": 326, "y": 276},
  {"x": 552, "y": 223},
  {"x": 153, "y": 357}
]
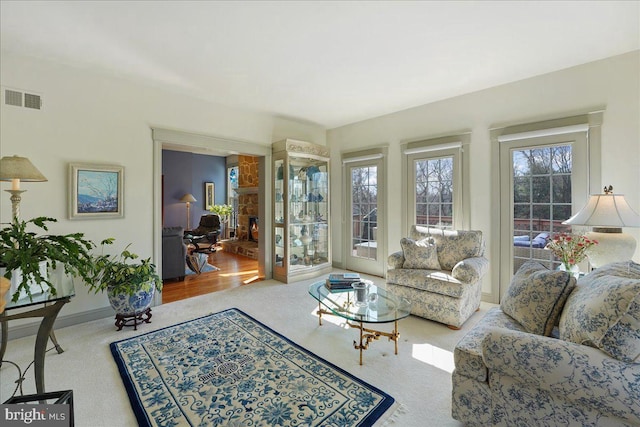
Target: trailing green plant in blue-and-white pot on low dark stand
[{"x": 130, "y": 284}]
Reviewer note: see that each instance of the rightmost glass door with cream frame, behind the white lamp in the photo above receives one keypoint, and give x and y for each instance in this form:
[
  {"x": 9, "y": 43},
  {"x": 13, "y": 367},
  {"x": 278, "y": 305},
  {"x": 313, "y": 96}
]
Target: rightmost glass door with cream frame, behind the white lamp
[{"x": 546, "y": 171}]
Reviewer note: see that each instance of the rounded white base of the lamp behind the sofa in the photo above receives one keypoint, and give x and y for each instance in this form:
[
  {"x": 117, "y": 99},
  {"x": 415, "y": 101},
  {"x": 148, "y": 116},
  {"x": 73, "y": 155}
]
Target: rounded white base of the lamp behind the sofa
[{"x": 613, "y": 246}]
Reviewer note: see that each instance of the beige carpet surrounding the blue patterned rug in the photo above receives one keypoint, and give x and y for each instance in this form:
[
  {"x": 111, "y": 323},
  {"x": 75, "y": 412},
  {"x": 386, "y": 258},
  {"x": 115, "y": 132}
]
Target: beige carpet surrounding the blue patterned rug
[{"x": 419, "y": 377}]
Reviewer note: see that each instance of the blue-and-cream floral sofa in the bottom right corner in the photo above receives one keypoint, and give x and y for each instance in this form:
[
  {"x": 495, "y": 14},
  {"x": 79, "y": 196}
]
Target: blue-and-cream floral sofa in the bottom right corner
[{"x": 510, "y": 369}]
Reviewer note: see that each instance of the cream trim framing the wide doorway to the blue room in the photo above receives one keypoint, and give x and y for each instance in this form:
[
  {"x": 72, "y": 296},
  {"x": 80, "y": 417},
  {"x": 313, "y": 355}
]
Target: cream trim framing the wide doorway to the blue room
[{"x": 217, "y": 146}]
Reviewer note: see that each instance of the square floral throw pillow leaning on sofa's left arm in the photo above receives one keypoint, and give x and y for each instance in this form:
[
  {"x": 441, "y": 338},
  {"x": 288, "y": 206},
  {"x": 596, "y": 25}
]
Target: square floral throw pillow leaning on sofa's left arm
[{"x": 536, "y": 296}]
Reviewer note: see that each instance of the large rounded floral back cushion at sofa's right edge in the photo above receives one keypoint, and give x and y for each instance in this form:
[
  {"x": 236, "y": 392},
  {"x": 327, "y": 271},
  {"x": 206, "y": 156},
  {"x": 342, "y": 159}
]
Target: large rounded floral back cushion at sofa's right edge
[{"x": 604, "y": 311}]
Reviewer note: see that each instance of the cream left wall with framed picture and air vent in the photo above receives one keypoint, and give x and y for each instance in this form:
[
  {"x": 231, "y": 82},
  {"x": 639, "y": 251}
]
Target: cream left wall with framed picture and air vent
[{"x": 96, "y": 118}]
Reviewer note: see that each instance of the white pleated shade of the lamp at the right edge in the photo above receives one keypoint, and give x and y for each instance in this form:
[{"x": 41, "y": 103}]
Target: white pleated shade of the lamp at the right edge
[{"x": 606, "y": 210}]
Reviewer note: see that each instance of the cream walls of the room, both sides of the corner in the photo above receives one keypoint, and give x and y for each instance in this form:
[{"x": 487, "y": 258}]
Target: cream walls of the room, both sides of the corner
[{"x": 91, "y": 117}]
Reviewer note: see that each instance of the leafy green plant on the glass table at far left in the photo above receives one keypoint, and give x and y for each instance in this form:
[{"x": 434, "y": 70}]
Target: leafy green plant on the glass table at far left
[{"x": 24, "y": 252}]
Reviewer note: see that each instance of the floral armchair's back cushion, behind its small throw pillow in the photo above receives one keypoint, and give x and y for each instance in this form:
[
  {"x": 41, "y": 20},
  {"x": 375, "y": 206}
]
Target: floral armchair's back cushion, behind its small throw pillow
[{"x": 453, "y": 245}]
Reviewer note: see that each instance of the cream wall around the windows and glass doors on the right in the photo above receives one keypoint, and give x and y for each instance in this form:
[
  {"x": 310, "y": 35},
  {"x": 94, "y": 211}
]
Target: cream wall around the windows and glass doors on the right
[{"x": 612, "y": 84}]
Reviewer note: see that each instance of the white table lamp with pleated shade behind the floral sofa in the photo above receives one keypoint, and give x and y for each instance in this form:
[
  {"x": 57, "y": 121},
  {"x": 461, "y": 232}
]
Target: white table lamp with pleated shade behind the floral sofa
[{"x": 607, "y": 213}]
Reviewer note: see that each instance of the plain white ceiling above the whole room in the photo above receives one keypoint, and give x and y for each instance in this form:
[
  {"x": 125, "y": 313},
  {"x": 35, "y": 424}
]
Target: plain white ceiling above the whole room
[{"x": 329, "y": 63}]
